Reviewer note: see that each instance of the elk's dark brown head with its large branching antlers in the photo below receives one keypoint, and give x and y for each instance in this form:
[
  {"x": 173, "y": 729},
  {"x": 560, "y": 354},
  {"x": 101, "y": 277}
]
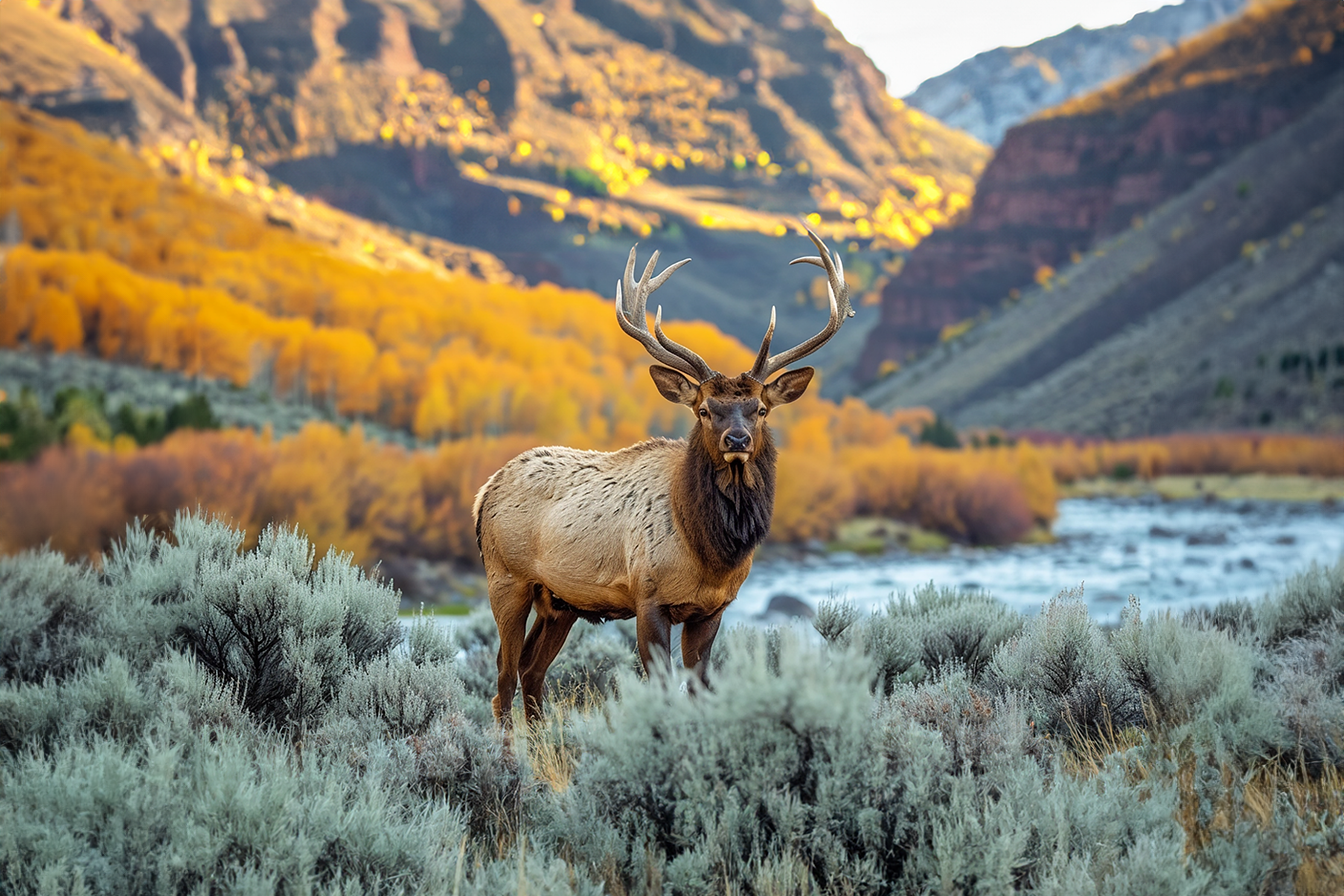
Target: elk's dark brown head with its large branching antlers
[{"x": 730, "y": 412}]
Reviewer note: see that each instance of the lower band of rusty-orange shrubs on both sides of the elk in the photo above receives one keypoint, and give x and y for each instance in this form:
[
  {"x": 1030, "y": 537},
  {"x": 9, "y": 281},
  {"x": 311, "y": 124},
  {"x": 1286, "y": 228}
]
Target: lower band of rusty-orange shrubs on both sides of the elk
[{"x": 380, "y": 500}]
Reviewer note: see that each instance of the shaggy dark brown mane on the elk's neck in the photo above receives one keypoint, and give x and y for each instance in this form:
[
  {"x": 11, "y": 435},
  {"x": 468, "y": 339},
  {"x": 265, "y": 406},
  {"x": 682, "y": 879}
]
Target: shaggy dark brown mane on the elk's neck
[{"x": 725, "y": 511}]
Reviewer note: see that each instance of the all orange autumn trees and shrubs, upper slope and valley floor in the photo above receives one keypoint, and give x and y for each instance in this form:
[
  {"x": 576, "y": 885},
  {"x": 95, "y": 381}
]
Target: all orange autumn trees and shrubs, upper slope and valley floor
[{"x": 120, "y": 263}]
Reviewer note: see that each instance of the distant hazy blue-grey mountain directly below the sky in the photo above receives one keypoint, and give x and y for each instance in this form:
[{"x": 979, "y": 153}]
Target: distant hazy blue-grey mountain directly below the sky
[{"x": 994, "y": 91}]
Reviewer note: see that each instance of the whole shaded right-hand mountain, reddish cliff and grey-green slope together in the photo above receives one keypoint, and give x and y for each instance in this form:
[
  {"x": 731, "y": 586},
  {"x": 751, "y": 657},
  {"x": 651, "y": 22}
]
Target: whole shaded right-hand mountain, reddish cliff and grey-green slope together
[{"x": 1197, "y": 218}]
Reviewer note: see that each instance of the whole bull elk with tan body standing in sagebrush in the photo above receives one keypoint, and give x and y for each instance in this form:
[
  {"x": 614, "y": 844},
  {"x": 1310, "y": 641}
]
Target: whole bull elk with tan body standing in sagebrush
[{"x": 662, "y": 531}]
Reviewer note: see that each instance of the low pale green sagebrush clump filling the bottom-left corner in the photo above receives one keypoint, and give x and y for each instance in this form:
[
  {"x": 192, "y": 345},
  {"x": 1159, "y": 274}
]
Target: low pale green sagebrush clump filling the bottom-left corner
[{"x": 158, "y": 817}]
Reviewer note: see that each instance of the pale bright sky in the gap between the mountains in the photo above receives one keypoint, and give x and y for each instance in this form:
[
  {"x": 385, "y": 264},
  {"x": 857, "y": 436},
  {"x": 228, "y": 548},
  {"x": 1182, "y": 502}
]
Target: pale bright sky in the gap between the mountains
[{"x": 916, "y": 40}]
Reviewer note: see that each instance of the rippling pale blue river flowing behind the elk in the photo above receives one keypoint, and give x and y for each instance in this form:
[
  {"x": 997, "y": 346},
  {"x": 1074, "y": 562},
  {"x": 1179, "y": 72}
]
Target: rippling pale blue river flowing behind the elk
[{"x": 1170, "y": 554}]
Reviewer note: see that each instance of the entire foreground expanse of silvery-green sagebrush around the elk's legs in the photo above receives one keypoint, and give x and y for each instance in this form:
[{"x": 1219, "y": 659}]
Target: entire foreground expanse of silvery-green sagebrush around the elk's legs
[{"x": 197, "y": 718}]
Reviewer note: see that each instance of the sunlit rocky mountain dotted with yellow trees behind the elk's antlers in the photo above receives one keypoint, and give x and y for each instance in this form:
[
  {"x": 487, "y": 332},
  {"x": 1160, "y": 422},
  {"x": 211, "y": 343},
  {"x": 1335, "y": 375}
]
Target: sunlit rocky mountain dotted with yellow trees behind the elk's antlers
[{"x": 550, "y": 136}]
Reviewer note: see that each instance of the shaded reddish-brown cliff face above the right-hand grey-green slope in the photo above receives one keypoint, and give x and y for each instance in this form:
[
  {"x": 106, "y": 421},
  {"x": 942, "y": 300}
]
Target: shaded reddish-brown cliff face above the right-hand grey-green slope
[{"x": 1095, "y": 167}]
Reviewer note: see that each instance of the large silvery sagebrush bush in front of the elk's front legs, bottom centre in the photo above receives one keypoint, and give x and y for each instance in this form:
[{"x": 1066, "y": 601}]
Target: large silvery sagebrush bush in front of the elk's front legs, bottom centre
[{"x": 771, "y": 768}]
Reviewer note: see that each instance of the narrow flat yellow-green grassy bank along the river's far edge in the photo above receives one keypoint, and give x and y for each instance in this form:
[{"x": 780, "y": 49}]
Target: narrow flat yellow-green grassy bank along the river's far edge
[{"x": 1251, "y": 487}]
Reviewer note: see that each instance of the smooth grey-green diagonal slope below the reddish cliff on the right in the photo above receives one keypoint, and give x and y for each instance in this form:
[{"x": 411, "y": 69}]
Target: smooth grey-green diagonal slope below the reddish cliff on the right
[{"x": 1221, "y": 311}]
